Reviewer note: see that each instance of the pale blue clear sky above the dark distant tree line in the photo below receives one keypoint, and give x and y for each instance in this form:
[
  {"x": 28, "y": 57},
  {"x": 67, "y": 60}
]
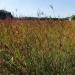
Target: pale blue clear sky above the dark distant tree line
[{"x": 62, "y": 8}]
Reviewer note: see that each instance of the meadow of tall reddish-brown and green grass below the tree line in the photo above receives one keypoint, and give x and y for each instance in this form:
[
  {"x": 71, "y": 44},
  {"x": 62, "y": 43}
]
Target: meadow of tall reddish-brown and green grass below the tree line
[{"x": 37, "y": 47}]
